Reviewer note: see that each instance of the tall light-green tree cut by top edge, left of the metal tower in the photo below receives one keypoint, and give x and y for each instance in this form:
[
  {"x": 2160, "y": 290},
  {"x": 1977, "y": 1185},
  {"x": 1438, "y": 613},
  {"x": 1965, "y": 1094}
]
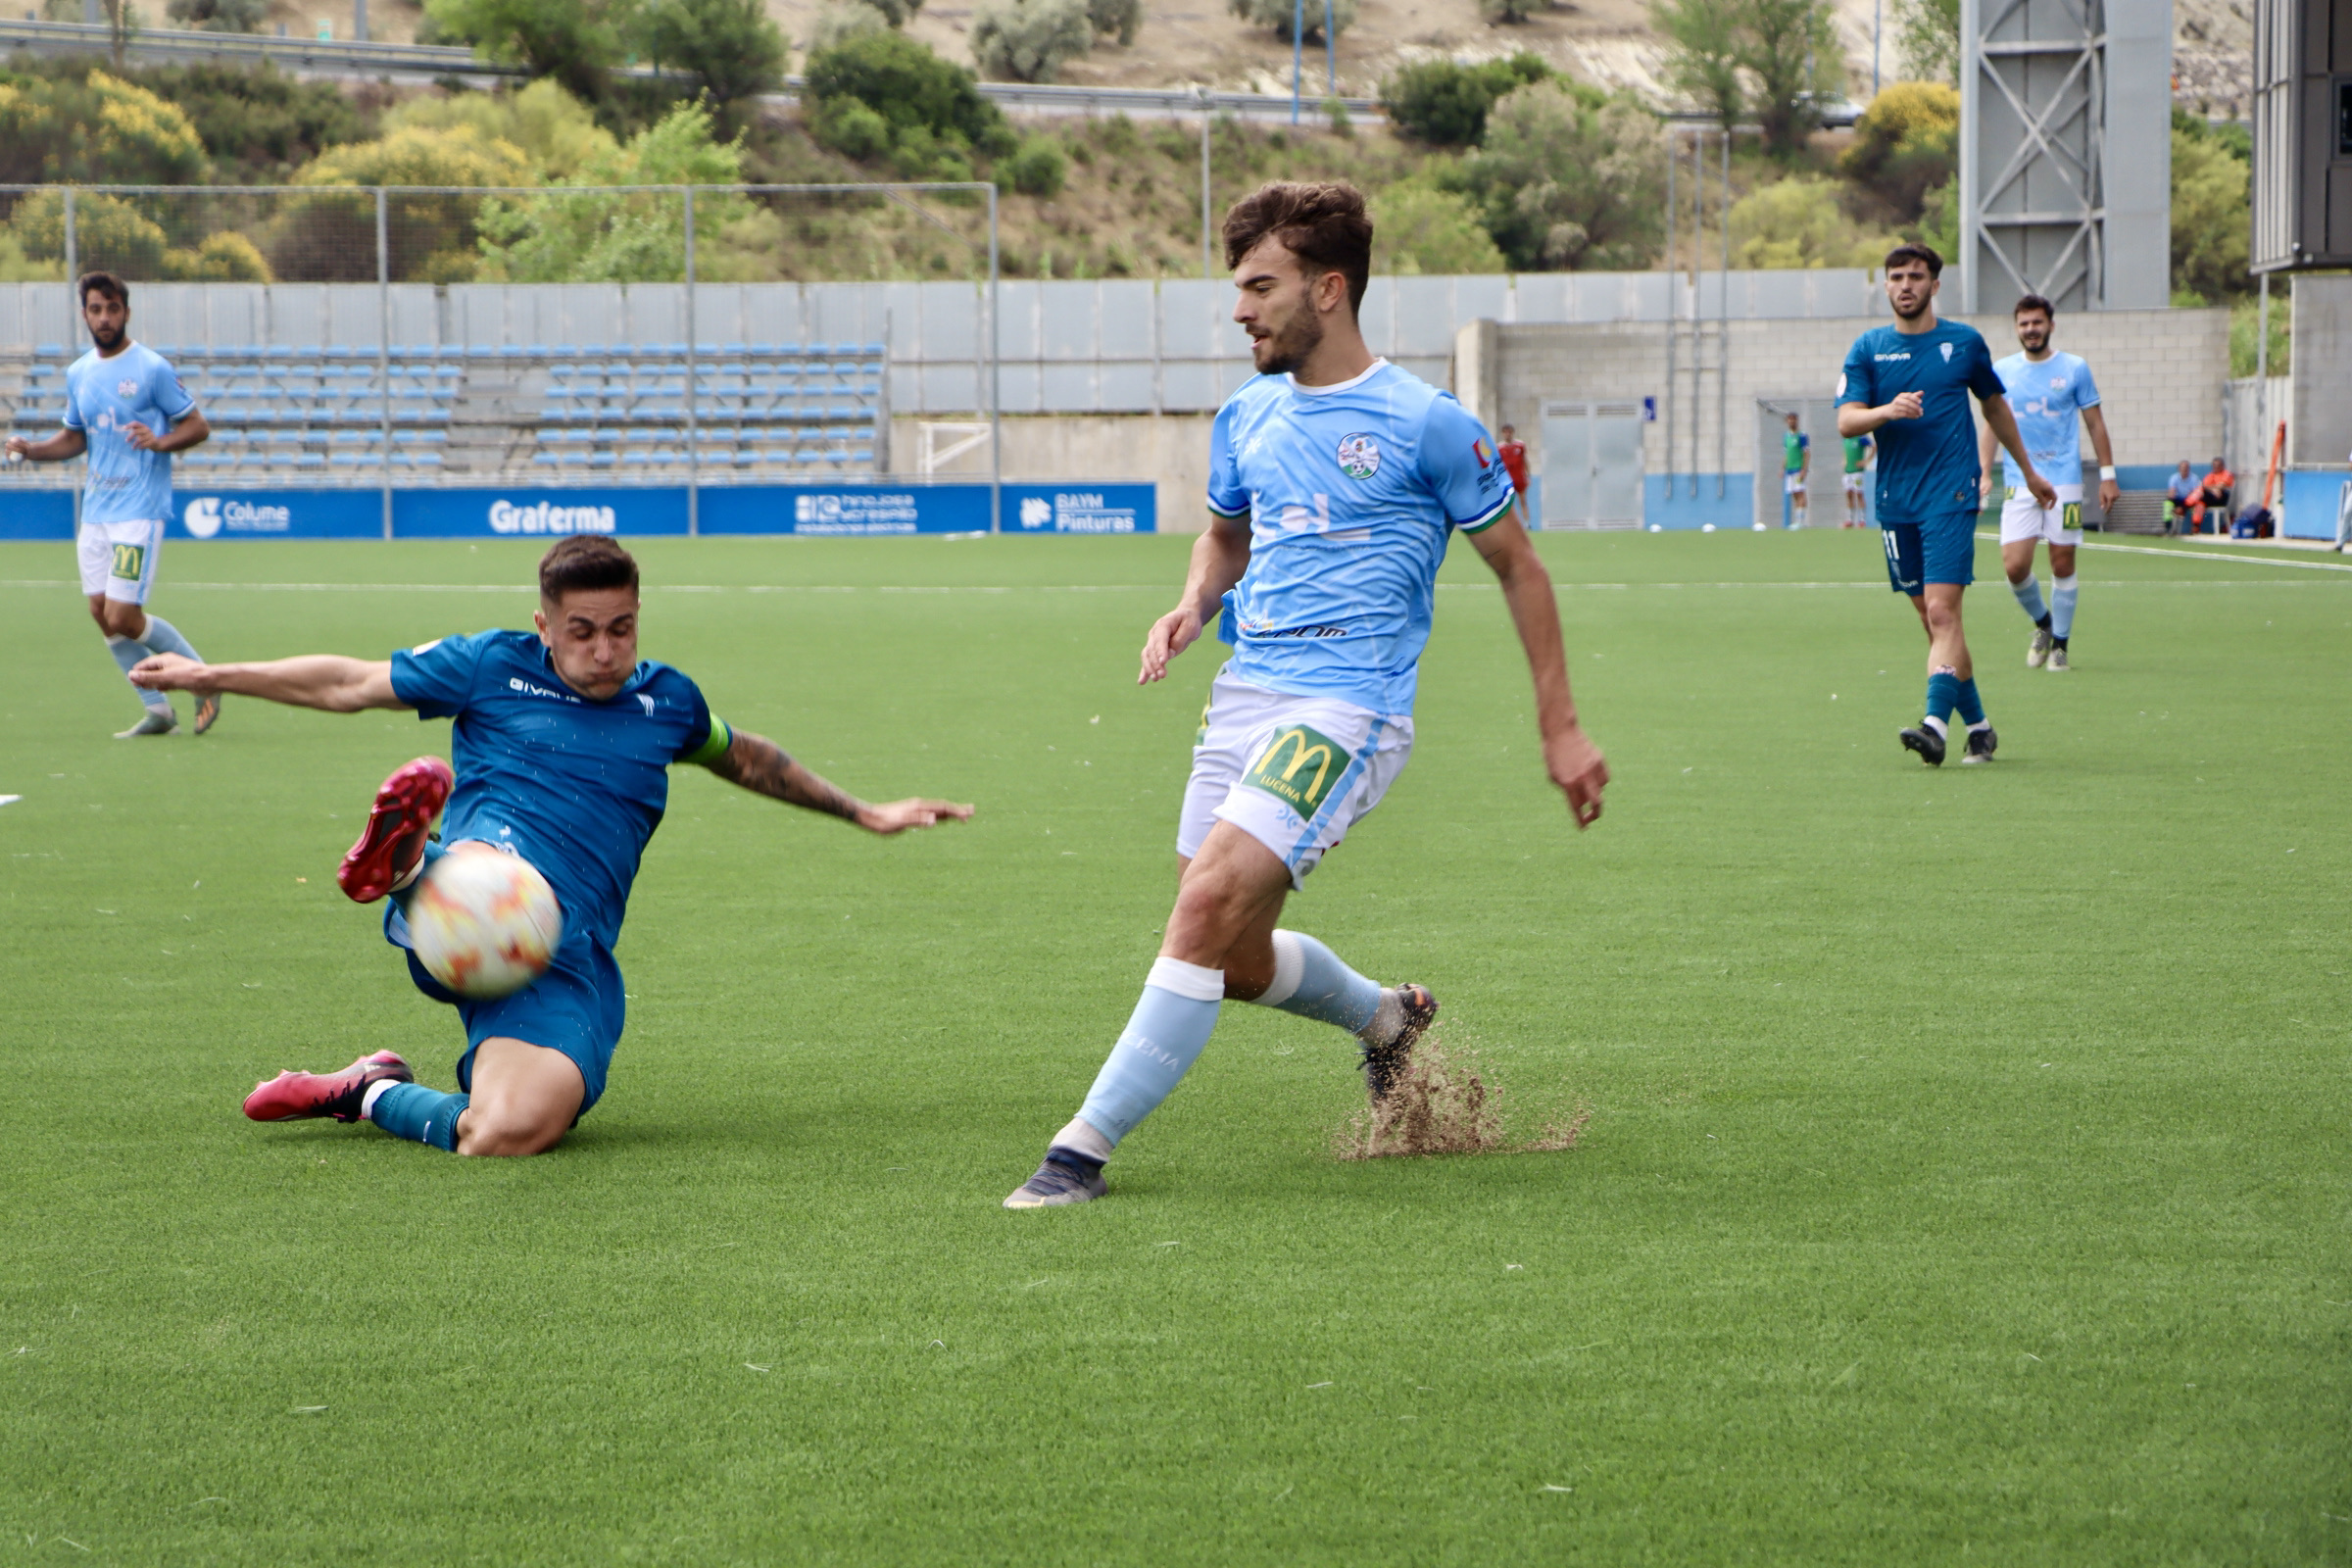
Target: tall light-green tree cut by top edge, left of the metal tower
[{"x": 1775, "y": 60}]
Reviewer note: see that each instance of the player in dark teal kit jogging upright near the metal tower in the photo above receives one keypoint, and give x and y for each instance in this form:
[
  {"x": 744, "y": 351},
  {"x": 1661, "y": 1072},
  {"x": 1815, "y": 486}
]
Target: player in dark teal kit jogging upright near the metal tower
[{"x": 1909, "y": 387}]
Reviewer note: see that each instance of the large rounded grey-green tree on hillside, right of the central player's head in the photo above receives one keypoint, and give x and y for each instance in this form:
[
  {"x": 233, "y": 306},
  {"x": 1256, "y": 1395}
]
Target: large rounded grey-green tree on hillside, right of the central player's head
[{"x": 1570, "y": 180}]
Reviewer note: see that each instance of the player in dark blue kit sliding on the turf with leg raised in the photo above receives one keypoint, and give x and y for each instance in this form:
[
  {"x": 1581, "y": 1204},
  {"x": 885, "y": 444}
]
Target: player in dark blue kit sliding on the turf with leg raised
[{"x": 563, "y": 744}]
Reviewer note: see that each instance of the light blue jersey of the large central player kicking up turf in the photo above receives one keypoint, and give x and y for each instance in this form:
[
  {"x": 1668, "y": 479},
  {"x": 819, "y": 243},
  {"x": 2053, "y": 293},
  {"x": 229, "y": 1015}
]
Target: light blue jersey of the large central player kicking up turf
[{"x": 1351, "y": 492}]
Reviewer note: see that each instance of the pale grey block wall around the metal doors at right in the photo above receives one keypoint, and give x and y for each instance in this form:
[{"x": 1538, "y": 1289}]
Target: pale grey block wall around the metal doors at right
[{"x": 2160, "y": 377}]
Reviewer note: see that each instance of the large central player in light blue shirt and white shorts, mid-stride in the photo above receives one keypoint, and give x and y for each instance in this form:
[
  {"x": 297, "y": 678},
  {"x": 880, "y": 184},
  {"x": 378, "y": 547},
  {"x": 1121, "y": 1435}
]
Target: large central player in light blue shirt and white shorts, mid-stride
[{"x": 1335, "y": 485}]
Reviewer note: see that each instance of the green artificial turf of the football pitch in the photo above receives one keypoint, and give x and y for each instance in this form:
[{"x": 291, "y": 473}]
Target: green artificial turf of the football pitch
[{"x": 1965, "y": 1174}]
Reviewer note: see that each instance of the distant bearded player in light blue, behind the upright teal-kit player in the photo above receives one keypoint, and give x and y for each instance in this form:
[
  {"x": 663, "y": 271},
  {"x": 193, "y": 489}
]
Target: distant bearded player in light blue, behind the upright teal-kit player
[{"x": 2052, "y": 394}]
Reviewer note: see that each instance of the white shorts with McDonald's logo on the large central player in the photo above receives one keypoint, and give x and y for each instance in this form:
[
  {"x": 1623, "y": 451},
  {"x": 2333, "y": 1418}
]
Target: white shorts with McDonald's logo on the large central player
[{"x": 1292, "y": 772}]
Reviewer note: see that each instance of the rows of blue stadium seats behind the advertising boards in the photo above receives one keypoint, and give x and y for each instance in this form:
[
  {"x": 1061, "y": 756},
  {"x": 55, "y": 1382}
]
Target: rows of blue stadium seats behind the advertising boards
[{"x": 552, "y": 415}]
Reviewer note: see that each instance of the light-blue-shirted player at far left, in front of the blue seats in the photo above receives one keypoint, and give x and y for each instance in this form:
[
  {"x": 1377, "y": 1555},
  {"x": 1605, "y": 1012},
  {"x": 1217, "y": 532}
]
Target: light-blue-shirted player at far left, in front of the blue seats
[{"x": 128, "y": 410}]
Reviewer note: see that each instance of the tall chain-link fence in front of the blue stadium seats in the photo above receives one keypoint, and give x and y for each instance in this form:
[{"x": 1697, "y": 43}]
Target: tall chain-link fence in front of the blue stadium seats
[{"x": 660, "y": 377}]
